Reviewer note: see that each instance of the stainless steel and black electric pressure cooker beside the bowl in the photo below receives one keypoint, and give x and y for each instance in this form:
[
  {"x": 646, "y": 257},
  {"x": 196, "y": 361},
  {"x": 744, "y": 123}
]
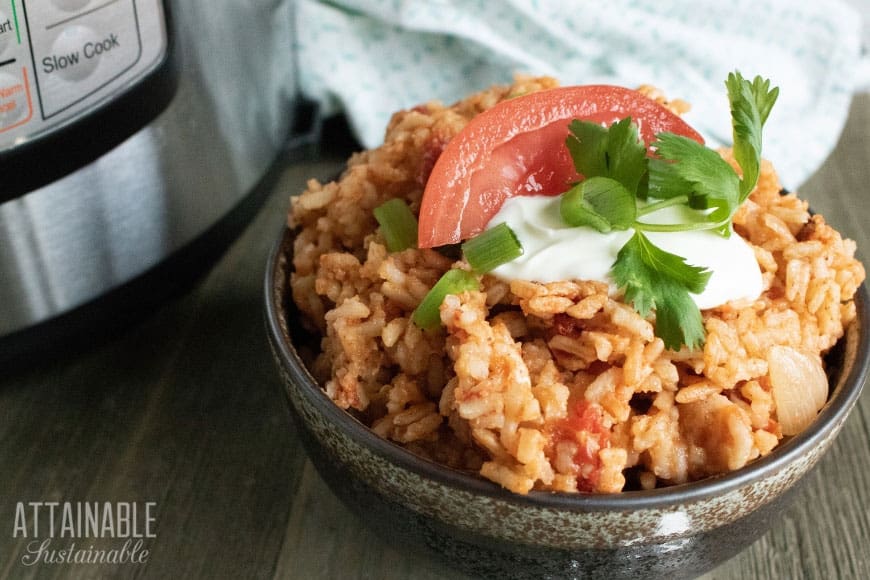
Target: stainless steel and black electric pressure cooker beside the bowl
[{"x": 131, "y": 132}]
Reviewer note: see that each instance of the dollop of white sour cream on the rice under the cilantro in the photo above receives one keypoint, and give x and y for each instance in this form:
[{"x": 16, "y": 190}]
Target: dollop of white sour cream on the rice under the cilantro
[{"x": 554, "y": 251}]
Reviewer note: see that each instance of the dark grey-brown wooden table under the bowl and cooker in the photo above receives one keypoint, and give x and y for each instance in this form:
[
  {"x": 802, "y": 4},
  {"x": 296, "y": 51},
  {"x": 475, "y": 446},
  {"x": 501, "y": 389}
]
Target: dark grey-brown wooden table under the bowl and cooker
[{"x": 185, "y": 411}]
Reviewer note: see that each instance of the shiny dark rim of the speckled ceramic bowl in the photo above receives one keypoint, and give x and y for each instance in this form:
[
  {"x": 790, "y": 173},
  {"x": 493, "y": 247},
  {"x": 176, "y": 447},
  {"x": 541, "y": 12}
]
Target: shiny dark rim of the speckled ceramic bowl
[{"x": 831, "y": 417}]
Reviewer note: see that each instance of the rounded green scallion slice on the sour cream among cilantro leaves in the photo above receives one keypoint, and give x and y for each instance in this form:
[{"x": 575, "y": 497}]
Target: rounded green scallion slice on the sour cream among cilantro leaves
[{"x": 601, "y": 203}]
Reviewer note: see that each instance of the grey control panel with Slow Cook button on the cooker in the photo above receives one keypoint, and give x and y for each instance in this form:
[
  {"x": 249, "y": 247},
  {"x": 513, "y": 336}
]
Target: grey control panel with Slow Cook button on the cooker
[{"x": 61, "y": 58}]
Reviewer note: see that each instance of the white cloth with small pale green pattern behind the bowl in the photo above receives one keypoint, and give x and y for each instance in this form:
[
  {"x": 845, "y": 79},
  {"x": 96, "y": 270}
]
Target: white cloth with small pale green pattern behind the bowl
[{"x": 371, "y": 58}]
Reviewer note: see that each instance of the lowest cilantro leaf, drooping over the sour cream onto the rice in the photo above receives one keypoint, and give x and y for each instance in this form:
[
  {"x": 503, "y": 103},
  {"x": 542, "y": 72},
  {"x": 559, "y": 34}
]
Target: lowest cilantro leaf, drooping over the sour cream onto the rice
[{"x": 655, "y": 279}]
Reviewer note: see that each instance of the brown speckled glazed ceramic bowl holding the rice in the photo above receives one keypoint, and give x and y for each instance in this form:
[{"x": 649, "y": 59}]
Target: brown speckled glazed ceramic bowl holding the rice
[{"x": 488, "y": 532}]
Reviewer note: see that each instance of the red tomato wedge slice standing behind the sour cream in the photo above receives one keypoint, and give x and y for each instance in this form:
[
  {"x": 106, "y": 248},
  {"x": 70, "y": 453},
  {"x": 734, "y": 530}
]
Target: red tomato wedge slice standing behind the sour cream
[{"x": 518, "y": 148}]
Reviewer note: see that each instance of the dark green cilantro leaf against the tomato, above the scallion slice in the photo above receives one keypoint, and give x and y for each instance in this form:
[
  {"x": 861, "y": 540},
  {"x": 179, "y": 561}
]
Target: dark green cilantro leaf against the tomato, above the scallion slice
[{"x": 616, "y": 152}]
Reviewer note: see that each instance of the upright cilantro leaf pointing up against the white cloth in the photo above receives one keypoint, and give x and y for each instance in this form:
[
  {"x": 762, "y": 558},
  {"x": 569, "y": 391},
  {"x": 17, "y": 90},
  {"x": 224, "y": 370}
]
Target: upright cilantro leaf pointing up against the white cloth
[{"x": 751, "y": 103}]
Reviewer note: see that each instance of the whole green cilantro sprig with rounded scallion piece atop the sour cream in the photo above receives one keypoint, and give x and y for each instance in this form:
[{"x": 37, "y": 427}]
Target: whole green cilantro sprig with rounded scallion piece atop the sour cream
[{"x": 621, "y": 182}]
